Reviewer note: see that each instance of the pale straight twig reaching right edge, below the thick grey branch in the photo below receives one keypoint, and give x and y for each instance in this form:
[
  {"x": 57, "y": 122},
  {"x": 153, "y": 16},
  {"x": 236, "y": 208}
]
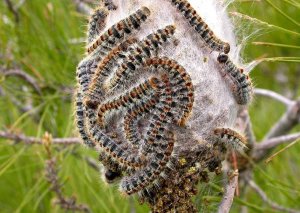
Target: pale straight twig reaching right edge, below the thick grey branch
[{"x": 273, "y": 142}]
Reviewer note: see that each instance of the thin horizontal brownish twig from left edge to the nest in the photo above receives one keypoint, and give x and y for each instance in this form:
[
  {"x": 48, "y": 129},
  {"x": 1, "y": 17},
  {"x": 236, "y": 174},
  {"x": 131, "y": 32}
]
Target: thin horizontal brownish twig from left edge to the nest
[{"x": 36, "y": 140}]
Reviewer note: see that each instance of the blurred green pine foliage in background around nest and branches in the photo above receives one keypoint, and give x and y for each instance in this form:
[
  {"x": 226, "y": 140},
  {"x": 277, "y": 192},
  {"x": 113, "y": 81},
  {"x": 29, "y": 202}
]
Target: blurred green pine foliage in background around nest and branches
[{"x": 44, "y": 39}]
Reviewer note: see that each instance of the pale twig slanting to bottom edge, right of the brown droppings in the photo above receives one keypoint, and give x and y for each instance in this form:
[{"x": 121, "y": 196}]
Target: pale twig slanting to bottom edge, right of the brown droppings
[{"x": 229, "y": 194}]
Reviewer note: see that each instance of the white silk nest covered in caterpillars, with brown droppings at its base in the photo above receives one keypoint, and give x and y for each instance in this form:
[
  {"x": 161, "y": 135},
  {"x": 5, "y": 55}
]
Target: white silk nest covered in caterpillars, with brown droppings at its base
[{"x": 158, "y": 94}]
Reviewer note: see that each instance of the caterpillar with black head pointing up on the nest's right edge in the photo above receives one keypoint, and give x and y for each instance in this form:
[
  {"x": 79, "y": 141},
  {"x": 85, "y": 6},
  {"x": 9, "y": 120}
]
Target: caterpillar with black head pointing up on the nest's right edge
[{"x": 241, "y": 83}]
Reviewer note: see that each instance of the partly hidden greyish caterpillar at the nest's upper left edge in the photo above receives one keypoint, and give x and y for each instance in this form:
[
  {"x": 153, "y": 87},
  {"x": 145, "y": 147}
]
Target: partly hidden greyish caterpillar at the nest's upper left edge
[{"x": 96, "y": 23}]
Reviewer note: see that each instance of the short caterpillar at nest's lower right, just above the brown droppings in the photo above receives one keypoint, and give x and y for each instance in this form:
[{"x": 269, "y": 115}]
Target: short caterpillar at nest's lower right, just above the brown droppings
[{"x": 231, "y": 138}]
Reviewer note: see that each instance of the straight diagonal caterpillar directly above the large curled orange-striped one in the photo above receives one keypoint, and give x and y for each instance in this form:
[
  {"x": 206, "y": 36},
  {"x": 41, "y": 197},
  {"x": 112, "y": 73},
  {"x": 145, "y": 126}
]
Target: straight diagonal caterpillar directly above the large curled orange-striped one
[{"x": 136, "y": 59}]
